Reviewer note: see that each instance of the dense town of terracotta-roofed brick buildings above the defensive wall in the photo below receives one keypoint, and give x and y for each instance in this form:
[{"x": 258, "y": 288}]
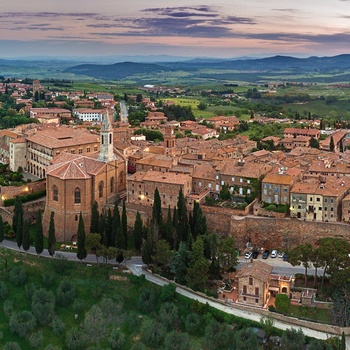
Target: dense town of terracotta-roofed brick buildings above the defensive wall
[{"x": 63, "y": 140}]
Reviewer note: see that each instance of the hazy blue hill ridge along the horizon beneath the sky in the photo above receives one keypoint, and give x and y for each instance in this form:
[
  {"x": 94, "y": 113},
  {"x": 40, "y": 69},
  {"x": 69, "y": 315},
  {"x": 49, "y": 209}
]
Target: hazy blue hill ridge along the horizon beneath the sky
[{"x": 274, "y": 63}]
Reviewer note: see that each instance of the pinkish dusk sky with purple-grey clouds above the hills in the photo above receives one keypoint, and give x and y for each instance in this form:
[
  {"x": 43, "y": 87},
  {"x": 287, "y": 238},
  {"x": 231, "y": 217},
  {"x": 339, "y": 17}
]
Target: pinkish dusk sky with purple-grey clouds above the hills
[{"x": 211, "y": 28}]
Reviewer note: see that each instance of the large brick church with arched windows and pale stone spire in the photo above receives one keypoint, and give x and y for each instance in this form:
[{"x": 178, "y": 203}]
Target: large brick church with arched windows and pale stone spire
[{"x": 74, "y": 182}]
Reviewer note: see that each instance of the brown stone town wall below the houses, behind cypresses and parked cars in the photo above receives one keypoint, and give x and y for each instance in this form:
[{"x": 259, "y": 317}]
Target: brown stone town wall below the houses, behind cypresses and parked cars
[{"x": 272, "y": 233}]
